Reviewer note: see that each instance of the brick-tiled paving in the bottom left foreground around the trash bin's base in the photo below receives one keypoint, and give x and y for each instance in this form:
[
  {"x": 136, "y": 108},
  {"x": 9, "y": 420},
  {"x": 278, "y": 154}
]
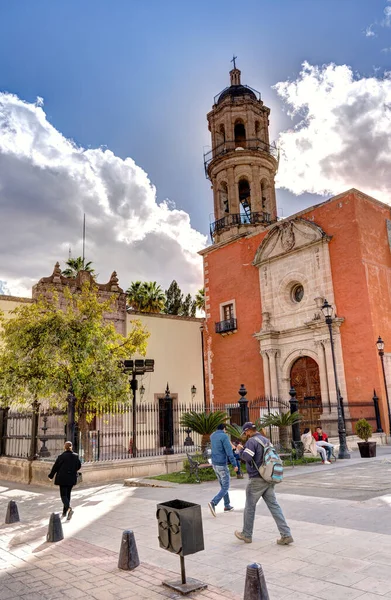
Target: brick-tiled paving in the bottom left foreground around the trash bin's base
[{"x": 76, "y": 569}]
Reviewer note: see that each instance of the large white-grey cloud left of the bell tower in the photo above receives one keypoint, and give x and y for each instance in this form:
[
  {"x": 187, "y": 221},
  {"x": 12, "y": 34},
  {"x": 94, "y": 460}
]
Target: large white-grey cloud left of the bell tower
[{"x": 47, "y": 182}]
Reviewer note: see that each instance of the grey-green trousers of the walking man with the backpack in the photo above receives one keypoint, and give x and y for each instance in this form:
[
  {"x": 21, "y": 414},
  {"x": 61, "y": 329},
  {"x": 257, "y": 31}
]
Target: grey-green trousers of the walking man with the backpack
[{"x": 256, "y": 488}]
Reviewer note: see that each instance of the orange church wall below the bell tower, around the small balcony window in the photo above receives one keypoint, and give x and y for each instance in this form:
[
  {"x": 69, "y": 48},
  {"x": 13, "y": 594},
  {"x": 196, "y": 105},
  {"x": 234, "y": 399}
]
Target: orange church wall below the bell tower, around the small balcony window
[{"x": 235, "y": 358}]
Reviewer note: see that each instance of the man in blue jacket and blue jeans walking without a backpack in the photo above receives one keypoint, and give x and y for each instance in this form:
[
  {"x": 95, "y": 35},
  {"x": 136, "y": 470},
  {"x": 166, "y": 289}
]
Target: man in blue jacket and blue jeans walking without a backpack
[{"x": 221, "y": 453}]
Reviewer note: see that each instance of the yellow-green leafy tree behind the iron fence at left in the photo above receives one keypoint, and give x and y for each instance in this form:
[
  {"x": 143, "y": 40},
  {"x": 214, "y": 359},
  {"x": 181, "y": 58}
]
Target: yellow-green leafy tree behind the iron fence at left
[{"x": 48, "y": 350}]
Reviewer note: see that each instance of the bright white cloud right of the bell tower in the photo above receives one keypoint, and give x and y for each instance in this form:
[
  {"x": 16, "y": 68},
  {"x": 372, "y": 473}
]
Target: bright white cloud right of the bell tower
[{"x": 342, "y": 135}]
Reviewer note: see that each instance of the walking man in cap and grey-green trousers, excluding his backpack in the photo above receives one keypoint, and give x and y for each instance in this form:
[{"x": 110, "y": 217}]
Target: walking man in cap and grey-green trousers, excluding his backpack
[{"x": 251, "y": 453}]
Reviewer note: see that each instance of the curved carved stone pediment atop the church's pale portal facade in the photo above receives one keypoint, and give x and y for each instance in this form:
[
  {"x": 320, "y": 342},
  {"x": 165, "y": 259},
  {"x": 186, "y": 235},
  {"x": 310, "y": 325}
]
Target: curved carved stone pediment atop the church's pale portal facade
[{"x": 288, "y": 236}]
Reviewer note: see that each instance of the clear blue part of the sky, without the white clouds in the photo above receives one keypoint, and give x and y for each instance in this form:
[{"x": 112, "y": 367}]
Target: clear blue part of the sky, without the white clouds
[{"x": 140, "y": 76}]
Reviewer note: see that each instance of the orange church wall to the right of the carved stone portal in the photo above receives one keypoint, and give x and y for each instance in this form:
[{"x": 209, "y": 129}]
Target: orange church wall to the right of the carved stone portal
[{"x": 358, "y": 253}]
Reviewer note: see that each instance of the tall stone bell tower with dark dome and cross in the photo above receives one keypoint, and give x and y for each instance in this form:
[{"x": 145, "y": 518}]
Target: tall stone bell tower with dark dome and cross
[{"x": 242, "y": 163}]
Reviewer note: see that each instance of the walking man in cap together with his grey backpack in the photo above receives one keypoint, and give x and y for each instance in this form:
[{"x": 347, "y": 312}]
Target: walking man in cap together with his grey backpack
[{"x": 264, "y": 468}]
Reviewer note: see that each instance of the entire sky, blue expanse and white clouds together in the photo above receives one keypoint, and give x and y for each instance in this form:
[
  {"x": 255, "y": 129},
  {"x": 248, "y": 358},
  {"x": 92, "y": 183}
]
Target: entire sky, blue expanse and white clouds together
[{"x": 103, "y": 109}]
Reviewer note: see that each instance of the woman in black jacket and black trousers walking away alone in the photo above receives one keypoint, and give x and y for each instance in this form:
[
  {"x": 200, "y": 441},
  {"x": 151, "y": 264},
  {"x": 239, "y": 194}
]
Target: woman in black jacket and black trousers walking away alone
[{"x": 65, "y": 468}]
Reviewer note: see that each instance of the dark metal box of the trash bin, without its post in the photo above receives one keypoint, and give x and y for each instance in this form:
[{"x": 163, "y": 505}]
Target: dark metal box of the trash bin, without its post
[{"x": 180, "y": 527}]
